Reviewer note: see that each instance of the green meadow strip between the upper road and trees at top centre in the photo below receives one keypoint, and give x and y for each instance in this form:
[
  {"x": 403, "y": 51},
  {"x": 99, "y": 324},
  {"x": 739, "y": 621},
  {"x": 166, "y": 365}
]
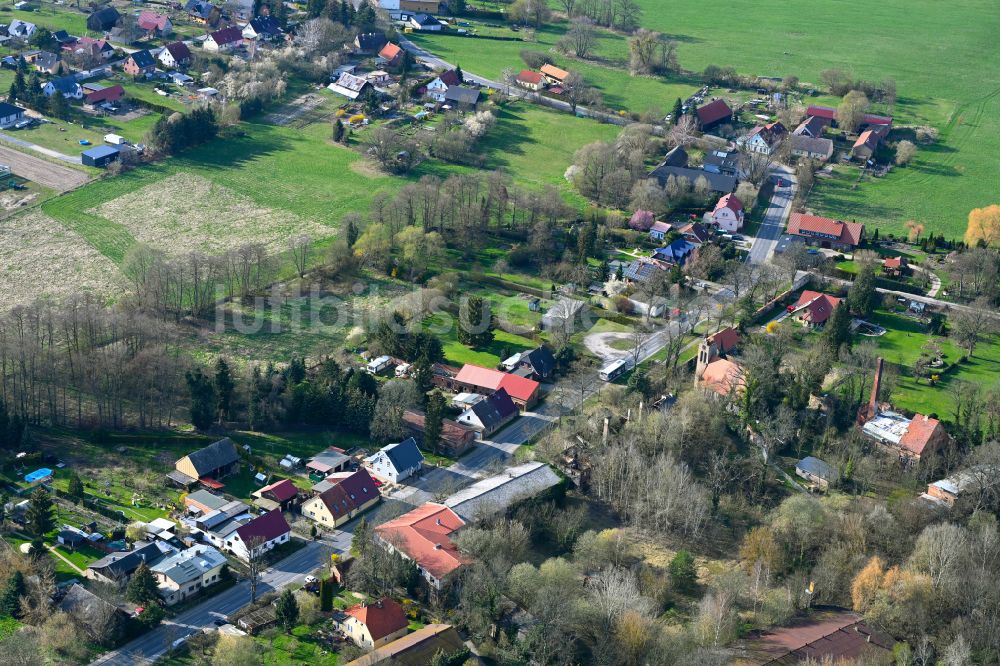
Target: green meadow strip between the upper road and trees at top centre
[{"x": 606, "y": 71}]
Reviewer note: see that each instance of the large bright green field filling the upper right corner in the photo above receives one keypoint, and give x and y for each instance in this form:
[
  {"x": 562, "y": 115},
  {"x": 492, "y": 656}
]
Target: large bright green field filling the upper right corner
[{"x": 934, "y": 51}]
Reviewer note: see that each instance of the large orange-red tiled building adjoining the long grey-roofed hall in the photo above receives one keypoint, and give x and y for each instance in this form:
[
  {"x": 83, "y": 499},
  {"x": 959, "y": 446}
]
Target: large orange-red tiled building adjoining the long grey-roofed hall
[{"x": 424, "y": 536}]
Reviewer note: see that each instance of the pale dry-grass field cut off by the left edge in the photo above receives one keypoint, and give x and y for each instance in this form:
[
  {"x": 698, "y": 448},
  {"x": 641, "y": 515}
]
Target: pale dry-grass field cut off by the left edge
[{"x": 39, "y": 257}]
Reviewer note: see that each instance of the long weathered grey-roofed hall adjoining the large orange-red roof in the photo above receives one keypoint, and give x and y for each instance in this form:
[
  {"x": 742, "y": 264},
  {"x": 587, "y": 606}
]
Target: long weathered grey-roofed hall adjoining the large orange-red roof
[{"x": 497, "y": 494}]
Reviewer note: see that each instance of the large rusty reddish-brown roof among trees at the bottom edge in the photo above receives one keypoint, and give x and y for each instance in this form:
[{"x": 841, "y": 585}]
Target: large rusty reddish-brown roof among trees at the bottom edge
[{"x": 825, "y": 636}]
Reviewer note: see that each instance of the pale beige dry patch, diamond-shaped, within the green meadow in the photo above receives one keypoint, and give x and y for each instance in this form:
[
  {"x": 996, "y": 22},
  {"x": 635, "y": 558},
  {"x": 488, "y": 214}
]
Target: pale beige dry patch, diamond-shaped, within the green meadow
[{"x": 187, "y": 212}]
